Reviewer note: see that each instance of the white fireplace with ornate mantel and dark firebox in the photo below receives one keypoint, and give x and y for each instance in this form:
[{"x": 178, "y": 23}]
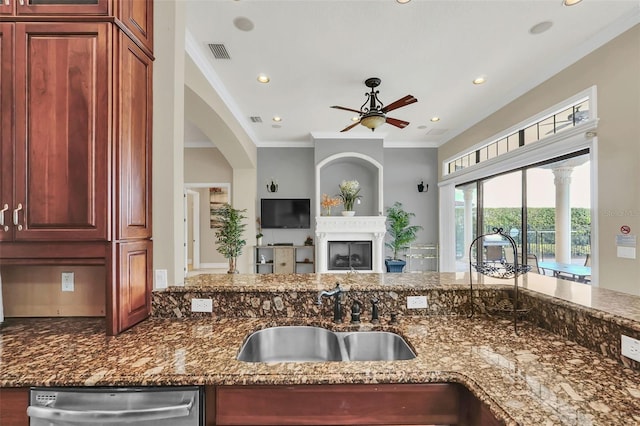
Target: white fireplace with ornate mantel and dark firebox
[{"x": 345, "y": 243}]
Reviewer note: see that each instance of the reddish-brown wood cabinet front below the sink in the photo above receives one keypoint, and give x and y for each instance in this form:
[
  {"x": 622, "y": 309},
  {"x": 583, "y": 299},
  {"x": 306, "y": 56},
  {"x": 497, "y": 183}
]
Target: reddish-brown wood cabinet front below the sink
[{"x": 384, "y": 404}]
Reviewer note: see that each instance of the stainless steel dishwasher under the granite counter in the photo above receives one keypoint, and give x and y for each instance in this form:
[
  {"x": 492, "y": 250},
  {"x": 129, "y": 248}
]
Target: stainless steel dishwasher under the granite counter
[{"x": 140, "y": 406}]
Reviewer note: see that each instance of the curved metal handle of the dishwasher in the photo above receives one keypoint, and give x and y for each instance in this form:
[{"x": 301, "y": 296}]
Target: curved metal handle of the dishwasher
[{"x": 115, "y": 416}]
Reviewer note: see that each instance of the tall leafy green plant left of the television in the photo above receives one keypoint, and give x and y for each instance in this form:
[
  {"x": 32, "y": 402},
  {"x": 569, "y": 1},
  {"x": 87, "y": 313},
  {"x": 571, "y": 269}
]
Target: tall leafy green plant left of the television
[{"x": 229, "y": 234}]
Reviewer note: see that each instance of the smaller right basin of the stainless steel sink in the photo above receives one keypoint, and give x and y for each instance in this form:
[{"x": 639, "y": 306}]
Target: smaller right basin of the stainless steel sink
[{"x": 376, "y": 346}]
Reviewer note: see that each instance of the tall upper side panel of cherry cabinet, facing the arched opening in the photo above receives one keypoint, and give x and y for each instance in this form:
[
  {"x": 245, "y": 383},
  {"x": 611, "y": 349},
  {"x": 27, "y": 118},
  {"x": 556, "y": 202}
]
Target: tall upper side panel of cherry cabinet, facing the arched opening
[{"x": 134, "y": 98}]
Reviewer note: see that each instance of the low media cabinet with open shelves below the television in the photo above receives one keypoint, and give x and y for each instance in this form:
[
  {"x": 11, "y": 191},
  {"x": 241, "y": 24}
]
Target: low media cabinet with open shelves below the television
[{"x": 285, "y": 259}]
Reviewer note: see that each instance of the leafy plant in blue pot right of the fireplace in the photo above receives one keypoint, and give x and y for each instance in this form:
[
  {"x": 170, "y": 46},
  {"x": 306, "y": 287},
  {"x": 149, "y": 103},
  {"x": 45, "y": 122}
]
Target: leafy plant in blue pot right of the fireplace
[{"x": 401, "y": 234}]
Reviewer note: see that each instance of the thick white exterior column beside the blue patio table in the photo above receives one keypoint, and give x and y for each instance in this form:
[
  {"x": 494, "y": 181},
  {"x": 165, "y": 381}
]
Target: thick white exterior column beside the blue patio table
[{"x": 562, "y": 181}]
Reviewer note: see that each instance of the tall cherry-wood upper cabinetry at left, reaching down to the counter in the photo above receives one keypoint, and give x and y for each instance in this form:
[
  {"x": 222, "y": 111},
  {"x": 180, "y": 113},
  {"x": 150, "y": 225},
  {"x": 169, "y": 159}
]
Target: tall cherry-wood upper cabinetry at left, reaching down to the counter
[{"x": 75, "y": 147}]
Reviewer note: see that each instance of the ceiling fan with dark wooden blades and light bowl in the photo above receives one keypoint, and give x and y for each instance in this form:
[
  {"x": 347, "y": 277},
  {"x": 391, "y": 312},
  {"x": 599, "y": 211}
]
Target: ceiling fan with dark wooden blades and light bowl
[{"x": 374, "y": 114}]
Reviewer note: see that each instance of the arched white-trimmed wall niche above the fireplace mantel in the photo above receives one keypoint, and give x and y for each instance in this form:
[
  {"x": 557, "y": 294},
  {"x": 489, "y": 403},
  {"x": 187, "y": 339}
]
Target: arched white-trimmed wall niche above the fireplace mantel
[{"x": 331, "y": 171}]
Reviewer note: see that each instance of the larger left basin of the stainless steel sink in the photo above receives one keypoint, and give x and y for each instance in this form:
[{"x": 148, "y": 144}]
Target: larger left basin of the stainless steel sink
[{"x": 291, "y": 344}]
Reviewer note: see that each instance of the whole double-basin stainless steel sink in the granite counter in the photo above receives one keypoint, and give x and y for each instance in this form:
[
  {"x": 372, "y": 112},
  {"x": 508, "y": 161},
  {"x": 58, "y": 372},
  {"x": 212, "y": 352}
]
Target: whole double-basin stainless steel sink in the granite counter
[{"x": 317, "y": 344}]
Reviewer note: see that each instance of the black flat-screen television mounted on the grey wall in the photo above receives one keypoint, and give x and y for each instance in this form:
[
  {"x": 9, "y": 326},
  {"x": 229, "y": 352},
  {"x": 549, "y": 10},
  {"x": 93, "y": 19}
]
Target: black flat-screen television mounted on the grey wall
[{"x": 289, "y": 213}]
